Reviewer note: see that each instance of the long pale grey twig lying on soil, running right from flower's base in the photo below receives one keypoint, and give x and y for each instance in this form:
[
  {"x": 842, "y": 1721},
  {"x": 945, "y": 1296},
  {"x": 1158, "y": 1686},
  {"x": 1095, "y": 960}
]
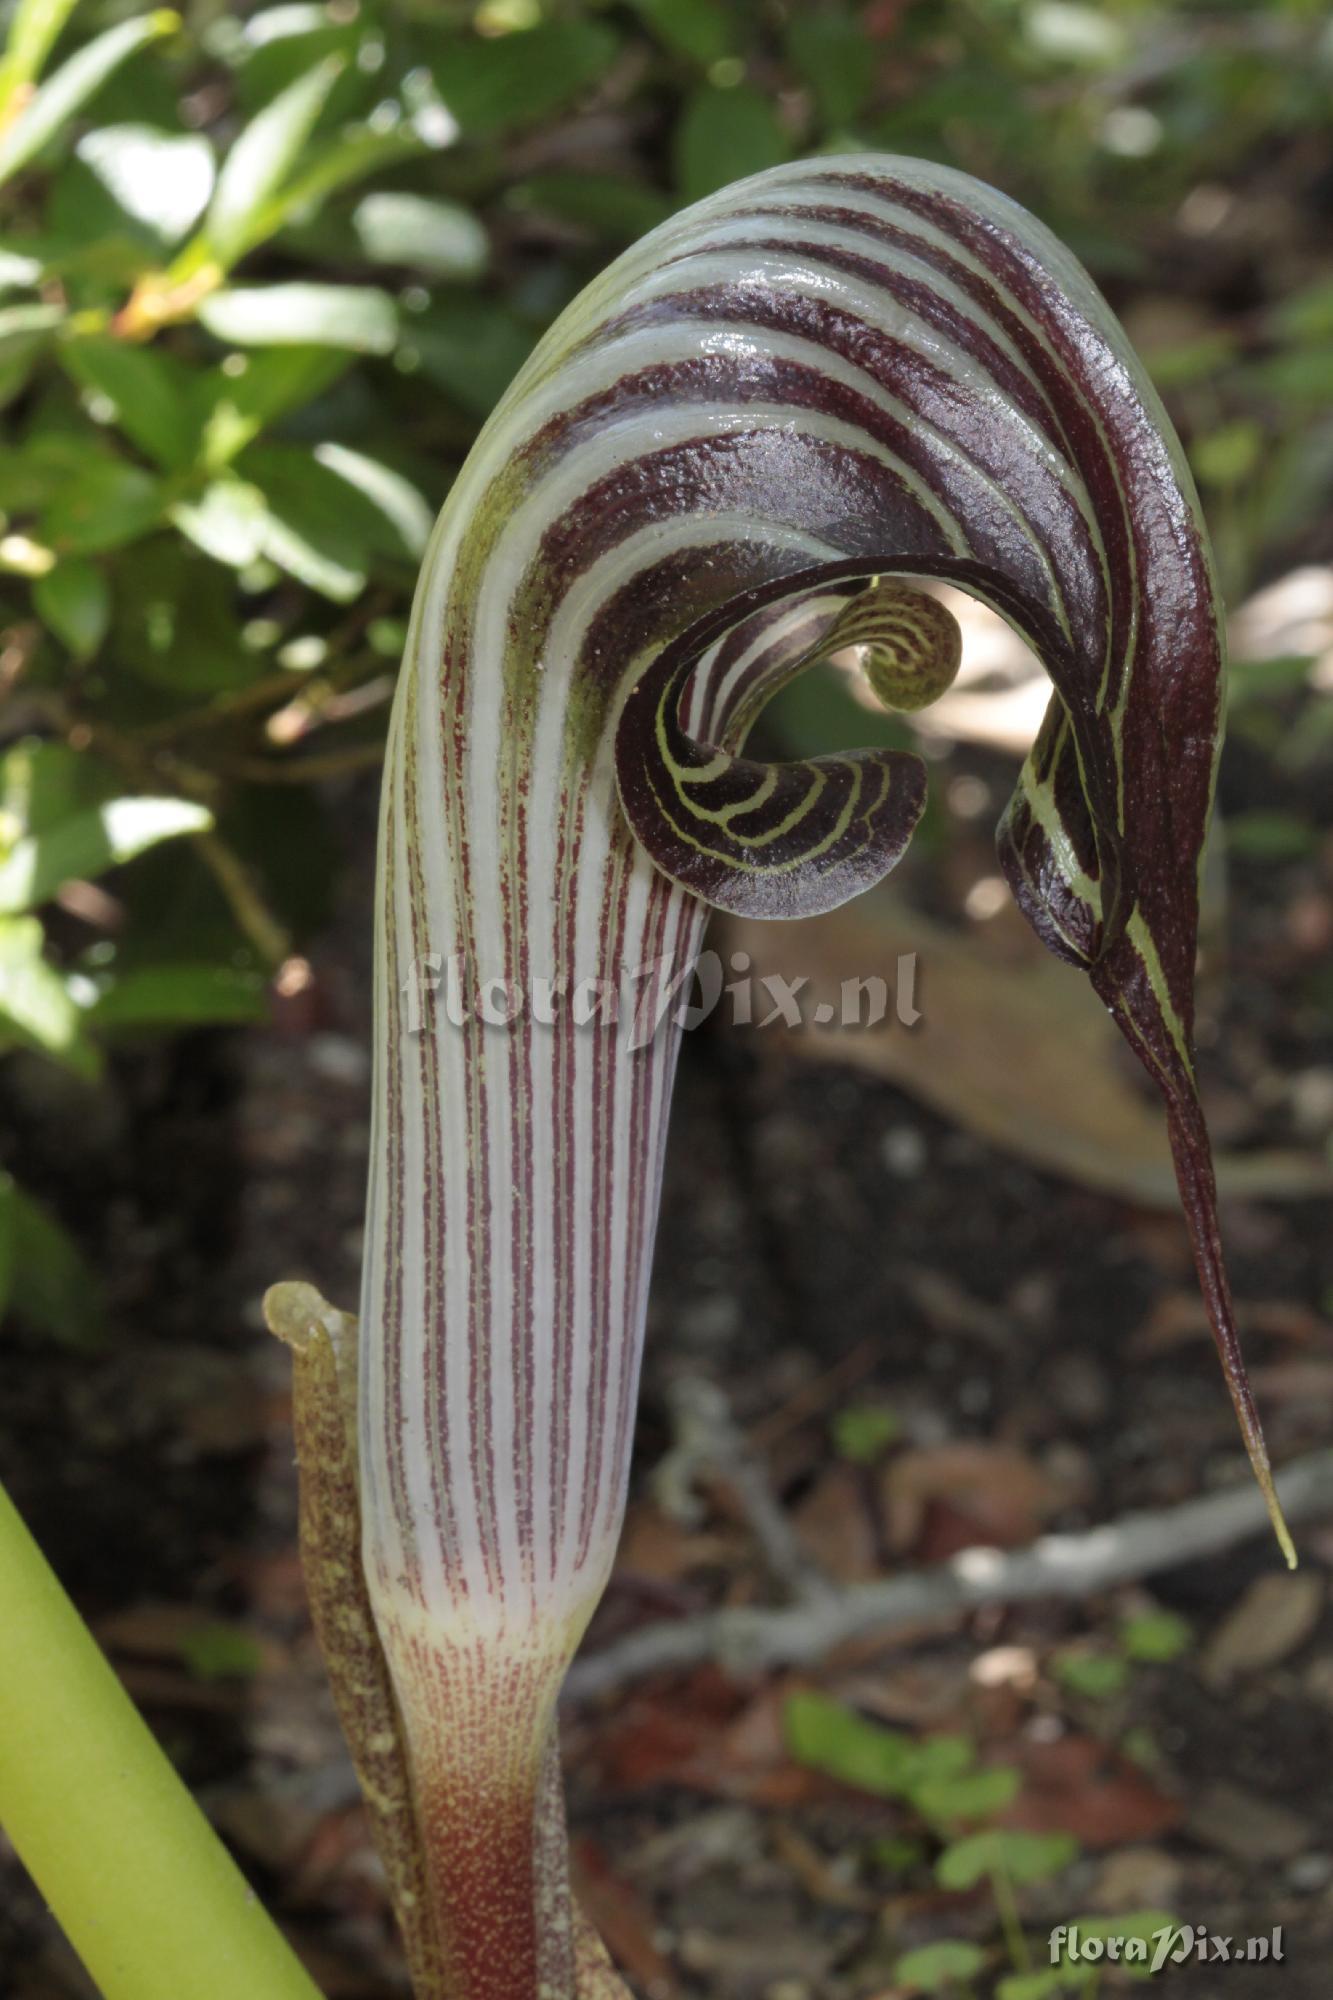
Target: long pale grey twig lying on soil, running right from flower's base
[{"x": 1058, "y": 1567}]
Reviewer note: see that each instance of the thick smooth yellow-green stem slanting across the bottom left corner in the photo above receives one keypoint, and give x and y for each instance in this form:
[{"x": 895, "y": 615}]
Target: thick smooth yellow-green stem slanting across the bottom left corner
[{"x": 147, "y": 1893}]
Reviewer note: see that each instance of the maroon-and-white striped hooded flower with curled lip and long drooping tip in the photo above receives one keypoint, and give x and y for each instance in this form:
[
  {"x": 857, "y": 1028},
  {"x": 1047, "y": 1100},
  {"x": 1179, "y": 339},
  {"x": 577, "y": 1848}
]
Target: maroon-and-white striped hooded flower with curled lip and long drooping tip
[{"x": 850, "y": 371}]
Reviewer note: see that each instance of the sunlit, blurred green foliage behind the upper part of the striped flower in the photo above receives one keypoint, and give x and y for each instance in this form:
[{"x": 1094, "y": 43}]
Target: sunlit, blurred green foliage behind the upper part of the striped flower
[{"x": 263, "y": 273}]
